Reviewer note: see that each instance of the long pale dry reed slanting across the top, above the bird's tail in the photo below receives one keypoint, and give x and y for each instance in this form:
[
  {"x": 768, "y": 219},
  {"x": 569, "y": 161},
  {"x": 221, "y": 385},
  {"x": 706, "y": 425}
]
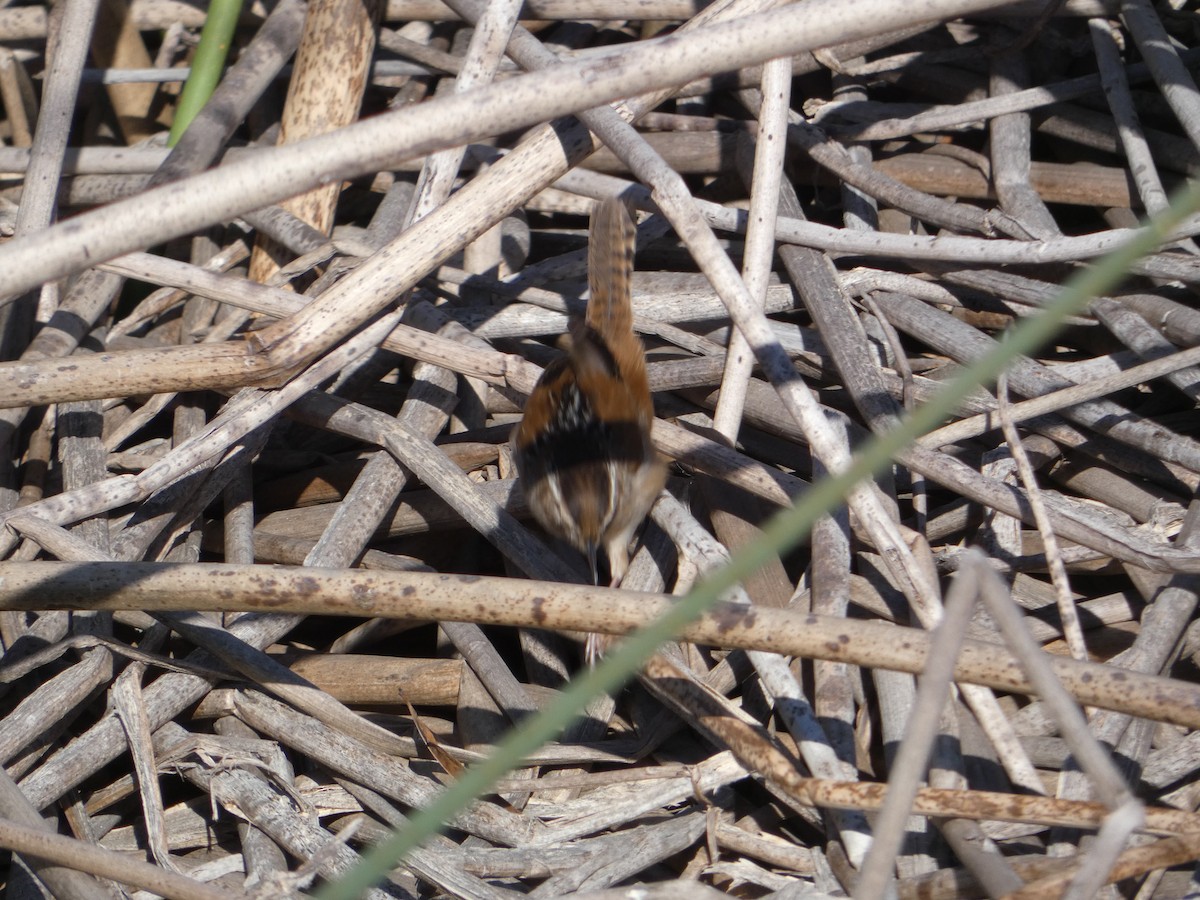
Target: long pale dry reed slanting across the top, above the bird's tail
[{"x": 451, "y": 121}]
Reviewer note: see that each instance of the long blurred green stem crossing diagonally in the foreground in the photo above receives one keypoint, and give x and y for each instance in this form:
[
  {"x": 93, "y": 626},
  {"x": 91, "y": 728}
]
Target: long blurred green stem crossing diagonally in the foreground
[{"x": 785, "y": 531}]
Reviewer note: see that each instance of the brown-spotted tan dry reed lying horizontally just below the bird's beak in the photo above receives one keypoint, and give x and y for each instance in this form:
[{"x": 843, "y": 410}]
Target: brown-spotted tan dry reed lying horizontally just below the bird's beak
[{"x": 502, "y": 602}]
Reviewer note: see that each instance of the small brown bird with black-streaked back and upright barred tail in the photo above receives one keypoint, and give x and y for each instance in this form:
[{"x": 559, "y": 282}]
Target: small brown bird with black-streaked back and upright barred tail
[{"x": 584, "y": 448}]
